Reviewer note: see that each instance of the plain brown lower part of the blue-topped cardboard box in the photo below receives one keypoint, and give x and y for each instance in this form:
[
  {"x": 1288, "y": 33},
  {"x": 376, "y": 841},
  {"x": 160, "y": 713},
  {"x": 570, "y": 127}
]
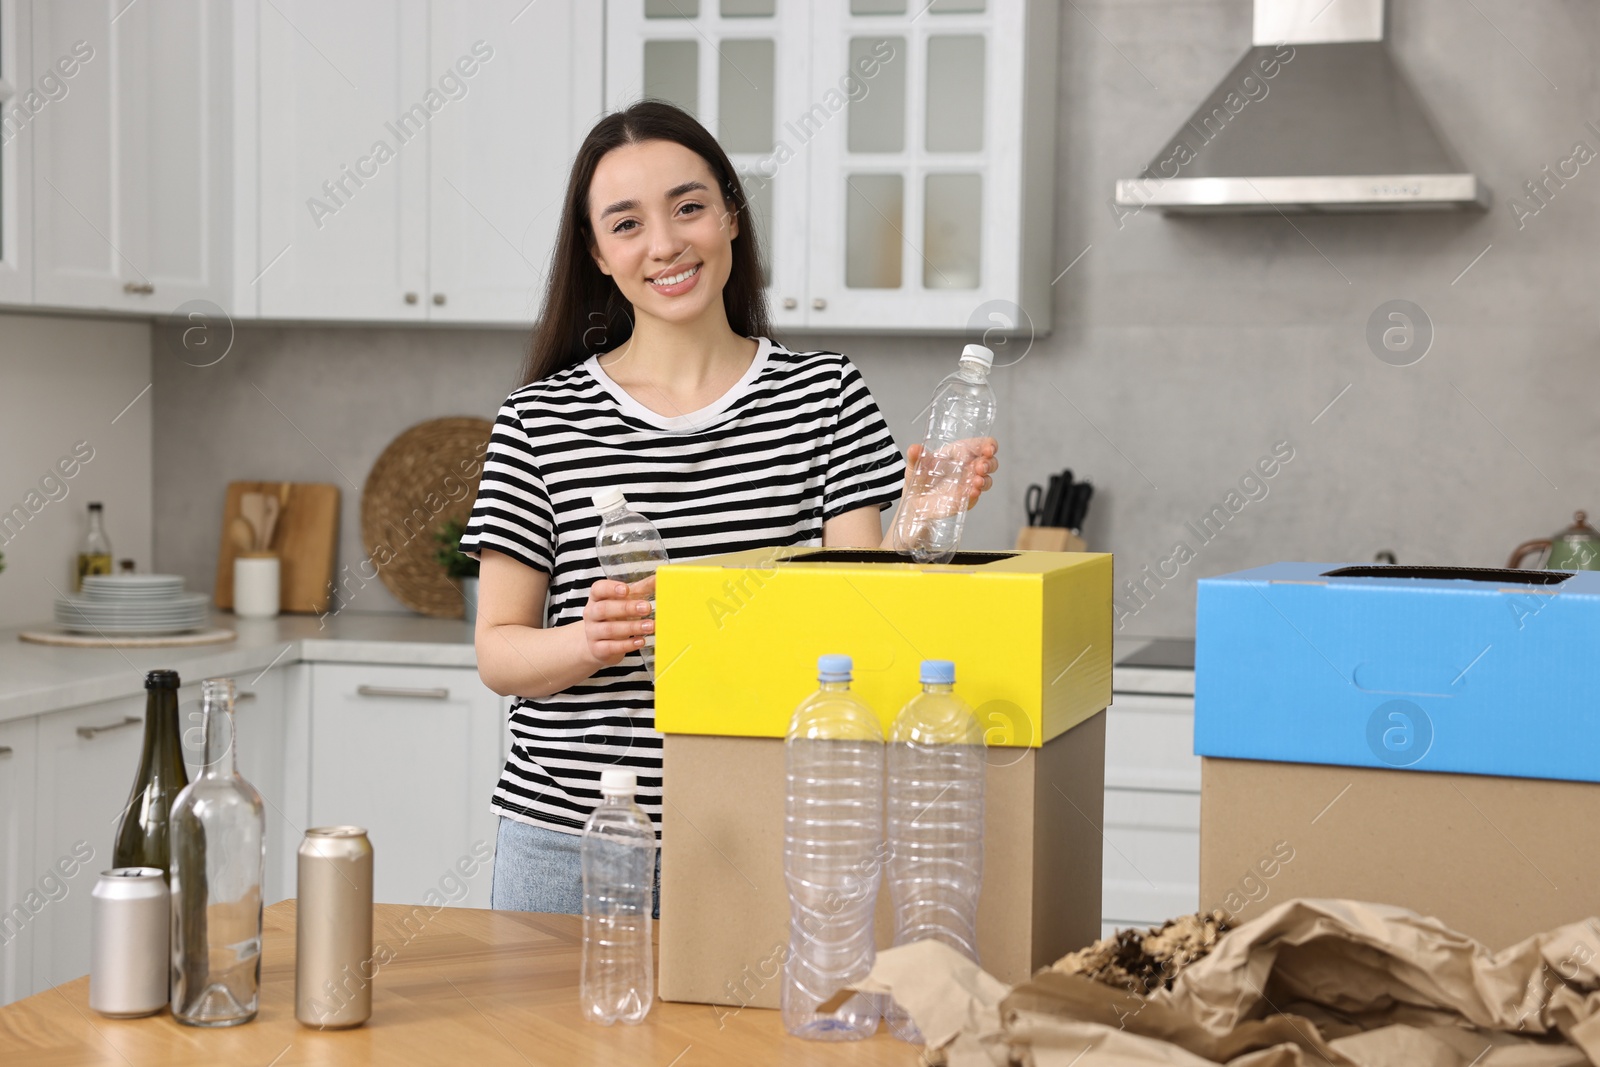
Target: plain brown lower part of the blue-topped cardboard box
[{"x": 1495, "y": 858}]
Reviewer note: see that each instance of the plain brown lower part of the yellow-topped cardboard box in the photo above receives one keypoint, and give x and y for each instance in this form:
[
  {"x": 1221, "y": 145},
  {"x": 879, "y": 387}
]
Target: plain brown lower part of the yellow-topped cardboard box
[{"x": 726, "y": 906}]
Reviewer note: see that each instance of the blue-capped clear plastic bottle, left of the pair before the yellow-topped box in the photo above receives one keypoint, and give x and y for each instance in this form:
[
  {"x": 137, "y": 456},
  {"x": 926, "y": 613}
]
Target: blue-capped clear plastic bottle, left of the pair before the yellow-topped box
[{"x": 833, "y": 857}]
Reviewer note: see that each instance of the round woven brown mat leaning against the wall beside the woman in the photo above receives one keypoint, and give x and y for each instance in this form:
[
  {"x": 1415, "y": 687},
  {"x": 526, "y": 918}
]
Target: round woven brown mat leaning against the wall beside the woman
[{"x": 423, "y": 479}]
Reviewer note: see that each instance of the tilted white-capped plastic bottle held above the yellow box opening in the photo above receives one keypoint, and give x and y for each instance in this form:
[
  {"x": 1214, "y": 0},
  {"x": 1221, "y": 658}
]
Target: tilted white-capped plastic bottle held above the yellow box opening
[{"x": 934, "y": 508}]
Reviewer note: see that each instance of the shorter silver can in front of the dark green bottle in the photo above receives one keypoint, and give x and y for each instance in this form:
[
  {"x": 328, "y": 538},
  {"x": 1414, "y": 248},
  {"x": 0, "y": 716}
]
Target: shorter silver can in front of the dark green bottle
[{"x": 130, "y": 949}]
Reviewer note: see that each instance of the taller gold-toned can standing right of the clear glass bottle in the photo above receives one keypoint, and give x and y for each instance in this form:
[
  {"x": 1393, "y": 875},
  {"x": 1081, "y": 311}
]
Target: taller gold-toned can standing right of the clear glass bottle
[{"x": 334, "y": 929}]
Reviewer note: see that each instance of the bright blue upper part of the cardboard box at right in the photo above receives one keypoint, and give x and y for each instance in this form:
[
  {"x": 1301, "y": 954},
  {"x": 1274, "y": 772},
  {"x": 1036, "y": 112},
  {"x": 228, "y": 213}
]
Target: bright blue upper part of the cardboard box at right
[{"x": 1431, "y": 669}]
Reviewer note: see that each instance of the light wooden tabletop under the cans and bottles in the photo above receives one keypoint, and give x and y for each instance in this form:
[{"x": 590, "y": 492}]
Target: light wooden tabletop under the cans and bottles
[{"x": 465, "y": 988}]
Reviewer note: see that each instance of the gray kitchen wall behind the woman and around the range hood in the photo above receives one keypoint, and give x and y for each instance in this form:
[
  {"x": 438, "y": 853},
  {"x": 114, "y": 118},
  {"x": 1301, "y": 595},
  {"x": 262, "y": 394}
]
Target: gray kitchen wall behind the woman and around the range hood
[{"x": 1185, "y": 350}]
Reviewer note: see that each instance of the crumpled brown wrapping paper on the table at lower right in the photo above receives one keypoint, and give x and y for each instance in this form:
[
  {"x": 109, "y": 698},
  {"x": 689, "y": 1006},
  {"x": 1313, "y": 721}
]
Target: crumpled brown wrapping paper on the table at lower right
[{"x": 1305, "y": 985}]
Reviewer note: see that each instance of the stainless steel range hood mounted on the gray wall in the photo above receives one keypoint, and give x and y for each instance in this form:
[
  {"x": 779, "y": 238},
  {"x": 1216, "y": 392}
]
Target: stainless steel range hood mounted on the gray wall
[{"x": 1316, "y": 118}]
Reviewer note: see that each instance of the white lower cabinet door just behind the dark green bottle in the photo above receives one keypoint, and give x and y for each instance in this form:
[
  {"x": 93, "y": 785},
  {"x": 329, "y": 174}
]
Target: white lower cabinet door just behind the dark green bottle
[{"x": 87, "y": 764}]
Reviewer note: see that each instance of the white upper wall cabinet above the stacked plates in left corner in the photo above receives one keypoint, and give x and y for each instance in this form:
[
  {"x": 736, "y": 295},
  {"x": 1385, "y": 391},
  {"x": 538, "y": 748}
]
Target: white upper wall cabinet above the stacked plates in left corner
[{"x": 132, "y": 162}]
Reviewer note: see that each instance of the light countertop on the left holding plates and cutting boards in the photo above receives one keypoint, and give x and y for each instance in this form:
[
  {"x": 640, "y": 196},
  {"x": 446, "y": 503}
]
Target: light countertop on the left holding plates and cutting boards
[{"x": 38, "y": 679}]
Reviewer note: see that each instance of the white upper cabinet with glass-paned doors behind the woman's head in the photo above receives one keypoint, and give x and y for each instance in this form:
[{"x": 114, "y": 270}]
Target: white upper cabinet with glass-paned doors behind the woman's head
[{"x": 902, "y": 167}]
